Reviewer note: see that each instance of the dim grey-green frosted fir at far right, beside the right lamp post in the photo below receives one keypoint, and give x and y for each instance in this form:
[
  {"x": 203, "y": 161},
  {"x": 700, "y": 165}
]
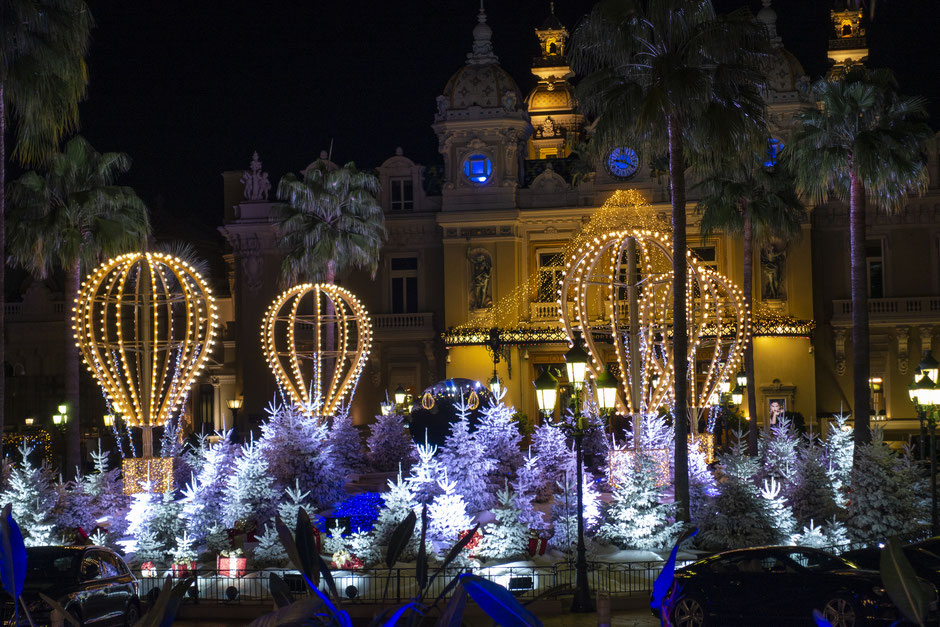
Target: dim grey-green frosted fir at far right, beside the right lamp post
[{"x": 884, "y": 499}]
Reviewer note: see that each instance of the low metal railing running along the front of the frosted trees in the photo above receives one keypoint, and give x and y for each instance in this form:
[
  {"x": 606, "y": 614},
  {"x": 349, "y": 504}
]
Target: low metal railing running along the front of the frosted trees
[{"x": 398, "y": 585}]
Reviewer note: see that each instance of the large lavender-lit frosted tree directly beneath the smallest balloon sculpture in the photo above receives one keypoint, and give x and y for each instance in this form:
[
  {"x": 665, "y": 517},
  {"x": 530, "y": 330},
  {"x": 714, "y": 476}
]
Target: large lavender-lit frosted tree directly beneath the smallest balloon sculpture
[{"x": 297, "y": 447}]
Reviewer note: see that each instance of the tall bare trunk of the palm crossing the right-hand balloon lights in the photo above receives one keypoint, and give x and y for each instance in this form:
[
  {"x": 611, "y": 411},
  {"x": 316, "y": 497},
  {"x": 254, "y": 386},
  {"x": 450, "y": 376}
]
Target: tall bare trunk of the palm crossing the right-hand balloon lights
[{"x": 680, "y": 338}]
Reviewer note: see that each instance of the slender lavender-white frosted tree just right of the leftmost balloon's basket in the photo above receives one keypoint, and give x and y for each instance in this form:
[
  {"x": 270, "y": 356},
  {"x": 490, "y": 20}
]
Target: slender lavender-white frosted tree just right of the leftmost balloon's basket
[{"x": 205, "y": 492}]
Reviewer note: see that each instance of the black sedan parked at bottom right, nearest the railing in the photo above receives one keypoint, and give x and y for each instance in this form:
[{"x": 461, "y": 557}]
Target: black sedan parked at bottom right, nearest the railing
[{"x": 779, "y": 585}]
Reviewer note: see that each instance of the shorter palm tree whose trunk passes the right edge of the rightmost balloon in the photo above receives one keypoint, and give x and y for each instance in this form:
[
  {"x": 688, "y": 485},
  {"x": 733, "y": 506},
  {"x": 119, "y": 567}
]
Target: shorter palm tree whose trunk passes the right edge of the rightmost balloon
[{"x": 762, "y": 205}]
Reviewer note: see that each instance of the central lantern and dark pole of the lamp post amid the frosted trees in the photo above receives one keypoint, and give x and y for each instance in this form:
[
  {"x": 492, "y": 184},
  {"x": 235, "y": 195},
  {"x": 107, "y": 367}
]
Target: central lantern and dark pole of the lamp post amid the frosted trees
[{"x": 576, "y": 363}]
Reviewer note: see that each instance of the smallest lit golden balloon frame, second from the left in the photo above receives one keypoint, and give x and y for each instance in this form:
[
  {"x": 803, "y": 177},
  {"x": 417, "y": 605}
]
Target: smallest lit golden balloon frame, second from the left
[{"x": 293, "y": 343}]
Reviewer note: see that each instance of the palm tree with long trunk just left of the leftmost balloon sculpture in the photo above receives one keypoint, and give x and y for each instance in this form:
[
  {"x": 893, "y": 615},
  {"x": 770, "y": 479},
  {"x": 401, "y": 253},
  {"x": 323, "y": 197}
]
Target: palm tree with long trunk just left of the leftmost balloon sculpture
[{"x": 71, "y": 217}]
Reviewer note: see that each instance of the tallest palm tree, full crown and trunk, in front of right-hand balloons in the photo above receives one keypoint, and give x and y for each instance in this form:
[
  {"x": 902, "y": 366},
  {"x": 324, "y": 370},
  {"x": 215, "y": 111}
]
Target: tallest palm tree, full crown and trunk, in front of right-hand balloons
[{"x": 672, "y": 77}]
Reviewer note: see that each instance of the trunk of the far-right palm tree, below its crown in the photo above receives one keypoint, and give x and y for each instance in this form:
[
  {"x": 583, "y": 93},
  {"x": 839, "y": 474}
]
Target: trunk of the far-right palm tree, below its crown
[{"x": 860, "y": 365}]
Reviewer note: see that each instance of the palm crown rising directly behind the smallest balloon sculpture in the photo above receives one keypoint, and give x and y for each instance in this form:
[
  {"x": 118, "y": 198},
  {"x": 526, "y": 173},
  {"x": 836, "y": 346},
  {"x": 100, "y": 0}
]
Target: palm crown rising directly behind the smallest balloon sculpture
[{"x": 330, "y": 222}]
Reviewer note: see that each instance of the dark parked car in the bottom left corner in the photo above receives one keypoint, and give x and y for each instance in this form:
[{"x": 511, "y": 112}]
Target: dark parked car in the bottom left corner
[{"x": 91, "y": 582}]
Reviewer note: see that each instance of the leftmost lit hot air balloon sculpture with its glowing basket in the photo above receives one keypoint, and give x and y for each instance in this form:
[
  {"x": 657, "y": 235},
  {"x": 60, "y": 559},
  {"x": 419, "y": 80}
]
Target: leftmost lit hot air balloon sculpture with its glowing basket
[{"x": 145, "y": 323}]
